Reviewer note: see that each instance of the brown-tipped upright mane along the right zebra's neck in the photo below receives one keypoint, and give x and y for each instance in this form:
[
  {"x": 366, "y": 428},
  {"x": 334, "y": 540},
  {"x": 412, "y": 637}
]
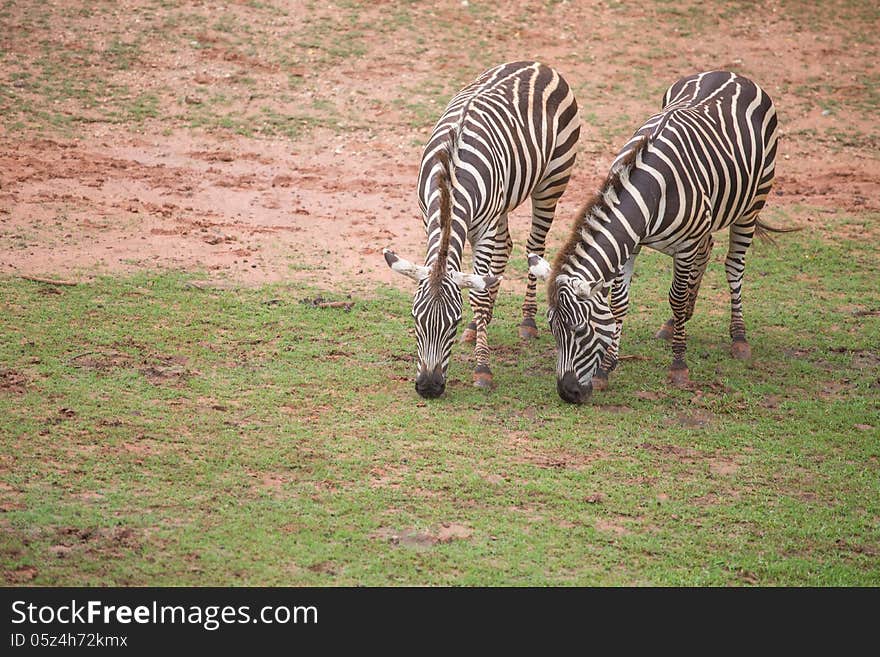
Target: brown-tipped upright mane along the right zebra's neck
[{"x": 595, "y": 211}]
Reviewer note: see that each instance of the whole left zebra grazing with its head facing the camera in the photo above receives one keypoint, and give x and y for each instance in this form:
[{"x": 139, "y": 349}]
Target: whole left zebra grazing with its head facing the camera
[{"x": 509, "y": 135}]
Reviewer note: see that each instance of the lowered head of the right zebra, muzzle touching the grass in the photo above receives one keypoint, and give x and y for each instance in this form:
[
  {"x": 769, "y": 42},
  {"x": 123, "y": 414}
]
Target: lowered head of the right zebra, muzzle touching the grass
[{"x": 583, "y": 326}]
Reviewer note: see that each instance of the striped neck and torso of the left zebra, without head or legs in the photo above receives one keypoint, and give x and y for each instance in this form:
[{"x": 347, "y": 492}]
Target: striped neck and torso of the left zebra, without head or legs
[{"x": 502, "y": 132}]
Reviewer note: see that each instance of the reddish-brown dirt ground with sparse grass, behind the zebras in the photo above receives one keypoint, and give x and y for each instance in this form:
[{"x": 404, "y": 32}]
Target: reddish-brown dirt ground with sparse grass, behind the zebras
[{"x": 90, "y": 184}]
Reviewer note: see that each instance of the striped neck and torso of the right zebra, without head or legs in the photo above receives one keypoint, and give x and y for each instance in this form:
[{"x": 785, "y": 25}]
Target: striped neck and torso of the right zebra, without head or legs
[{"x": 700, "y": 164}]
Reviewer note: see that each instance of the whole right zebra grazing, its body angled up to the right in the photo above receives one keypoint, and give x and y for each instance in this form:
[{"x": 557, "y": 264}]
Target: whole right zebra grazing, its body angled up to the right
[{"x": 705, "y": 162}]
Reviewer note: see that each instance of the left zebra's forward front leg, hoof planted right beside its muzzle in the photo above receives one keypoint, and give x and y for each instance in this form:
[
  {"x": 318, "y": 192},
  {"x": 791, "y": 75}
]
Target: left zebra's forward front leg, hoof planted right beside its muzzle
[{"x": 489, "y": 260}]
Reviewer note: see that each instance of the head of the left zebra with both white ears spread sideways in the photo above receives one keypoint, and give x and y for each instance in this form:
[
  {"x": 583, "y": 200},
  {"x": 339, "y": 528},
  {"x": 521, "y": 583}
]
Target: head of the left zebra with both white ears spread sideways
[{"x": 437, "y": 307}]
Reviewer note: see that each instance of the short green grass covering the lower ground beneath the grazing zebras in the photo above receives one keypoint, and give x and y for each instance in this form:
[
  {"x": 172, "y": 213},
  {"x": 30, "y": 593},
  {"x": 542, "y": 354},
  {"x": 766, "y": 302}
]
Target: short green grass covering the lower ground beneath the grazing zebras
[{"x": 156, "y": 433}]
